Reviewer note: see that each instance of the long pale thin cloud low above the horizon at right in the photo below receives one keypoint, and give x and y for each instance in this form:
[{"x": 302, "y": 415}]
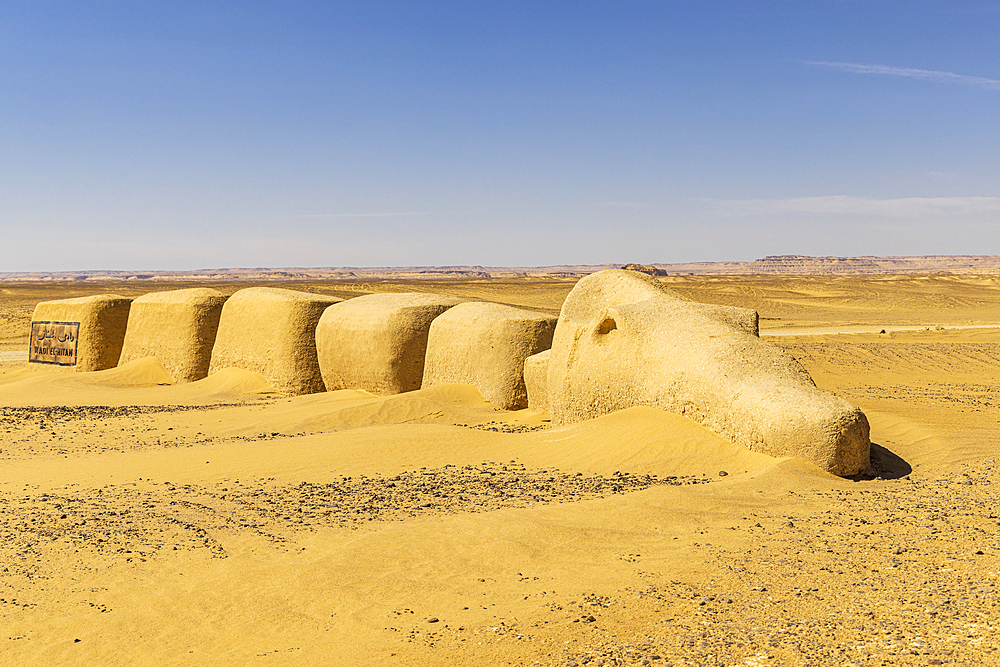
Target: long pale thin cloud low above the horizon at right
[{"x": 905, "y": 207}]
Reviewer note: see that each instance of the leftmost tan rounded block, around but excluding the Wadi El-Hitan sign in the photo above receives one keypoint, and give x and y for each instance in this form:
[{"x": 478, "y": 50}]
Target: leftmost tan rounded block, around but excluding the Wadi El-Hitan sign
[{"x": 103, "y": 319}]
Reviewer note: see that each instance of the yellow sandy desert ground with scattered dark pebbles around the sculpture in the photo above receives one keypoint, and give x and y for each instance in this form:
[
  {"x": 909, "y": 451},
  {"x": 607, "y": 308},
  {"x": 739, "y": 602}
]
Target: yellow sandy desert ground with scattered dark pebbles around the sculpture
[{"x": 217, "y": 523}]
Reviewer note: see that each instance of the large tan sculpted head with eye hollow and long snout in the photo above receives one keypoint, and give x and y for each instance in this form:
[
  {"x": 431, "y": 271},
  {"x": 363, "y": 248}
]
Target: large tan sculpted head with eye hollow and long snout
[{"x": 623, "y": 341}]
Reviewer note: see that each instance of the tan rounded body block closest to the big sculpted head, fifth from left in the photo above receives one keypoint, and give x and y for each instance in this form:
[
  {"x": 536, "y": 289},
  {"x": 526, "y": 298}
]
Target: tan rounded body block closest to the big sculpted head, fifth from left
[{"x": 485, "y": 345}]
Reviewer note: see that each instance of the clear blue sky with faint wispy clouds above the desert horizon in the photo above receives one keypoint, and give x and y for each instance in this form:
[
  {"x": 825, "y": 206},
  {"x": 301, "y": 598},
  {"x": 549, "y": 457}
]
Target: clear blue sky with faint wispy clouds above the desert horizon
[{"x": 184, "y": 135}]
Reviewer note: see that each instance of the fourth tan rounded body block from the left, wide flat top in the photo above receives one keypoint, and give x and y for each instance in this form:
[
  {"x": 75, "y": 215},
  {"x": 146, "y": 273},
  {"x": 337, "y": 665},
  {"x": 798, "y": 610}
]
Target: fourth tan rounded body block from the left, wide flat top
[{"x": 378, "y": 342}]
